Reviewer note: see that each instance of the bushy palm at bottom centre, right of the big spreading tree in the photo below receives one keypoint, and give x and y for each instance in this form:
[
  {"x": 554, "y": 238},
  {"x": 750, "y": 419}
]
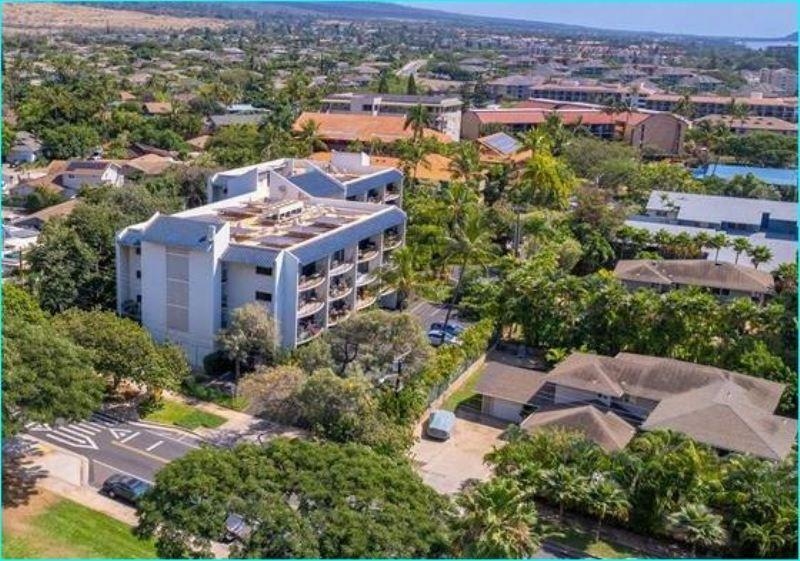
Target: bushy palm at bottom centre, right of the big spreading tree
[{"x": 497, "y": 521}]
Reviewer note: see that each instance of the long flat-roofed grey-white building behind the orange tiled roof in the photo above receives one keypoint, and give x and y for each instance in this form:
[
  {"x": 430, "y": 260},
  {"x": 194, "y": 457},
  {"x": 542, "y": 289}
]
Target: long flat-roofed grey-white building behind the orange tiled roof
[{"x": 445, "y": 110}]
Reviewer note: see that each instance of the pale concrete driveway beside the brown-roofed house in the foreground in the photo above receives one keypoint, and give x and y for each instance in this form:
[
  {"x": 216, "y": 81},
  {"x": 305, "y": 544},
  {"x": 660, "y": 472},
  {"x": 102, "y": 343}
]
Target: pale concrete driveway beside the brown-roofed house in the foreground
[{"x": 445, "y": 466}]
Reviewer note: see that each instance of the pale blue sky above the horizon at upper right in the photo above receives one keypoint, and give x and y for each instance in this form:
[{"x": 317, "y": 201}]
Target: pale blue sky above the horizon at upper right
[{"x": 751, "y": 18}]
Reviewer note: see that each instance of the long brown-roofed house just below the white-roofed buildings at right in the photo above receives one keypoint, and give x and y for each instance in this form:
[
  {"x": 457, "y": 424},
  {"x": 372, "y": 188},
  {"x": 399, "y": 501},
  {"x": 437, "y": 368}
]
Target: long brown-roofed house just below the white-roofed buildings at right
[{"x": 726, "y": 280}]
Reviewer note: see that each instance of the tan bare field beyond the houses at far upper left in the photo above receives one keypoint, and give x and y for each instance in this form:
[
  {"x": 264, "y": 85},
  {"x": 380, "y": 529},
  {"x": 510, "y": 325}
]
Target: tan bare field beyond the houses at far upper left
[{"x": 45, "y": 19}]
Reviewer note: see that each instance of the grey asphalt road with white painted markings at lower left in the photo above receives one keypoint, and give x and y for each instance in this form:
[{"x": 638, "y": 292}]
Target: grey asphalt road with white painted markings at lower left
[{"x": 114, "y": 446}]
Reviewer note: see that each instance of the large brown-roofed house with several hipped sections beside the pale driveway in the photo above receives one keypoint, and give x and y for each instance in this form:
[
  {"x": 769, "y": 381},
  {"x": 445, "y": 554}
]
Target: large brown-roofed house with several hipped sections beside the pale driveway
[{"x": 729, "y": 411}]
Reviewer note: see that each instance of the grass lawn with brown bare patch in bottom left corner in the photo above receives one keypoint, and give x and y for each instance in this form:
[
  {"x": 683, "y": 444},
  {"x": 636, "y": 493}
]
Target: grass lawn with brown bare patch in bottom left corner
[{"x": 55, "y": 527}]
